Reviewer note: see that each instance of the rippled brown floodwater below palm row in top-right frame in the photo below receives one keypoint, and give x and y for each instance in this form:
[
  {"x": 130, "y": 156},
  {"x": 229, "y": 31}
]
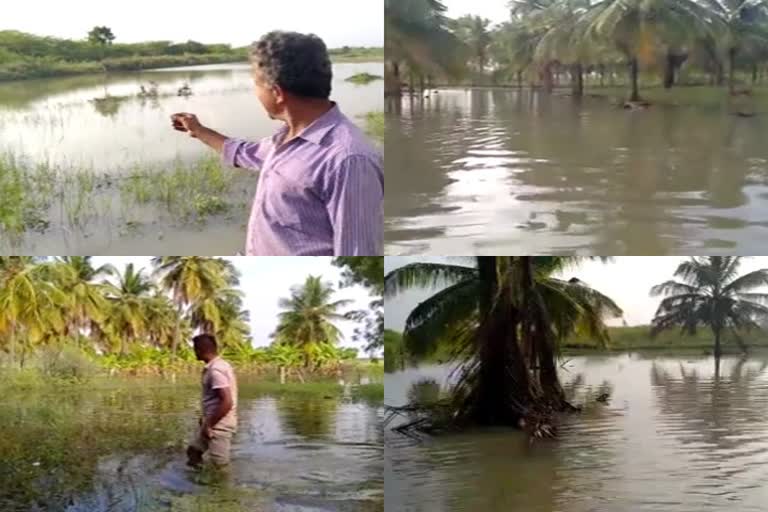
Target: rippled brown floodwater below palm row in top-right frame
[{"x": 502, "y": 172}]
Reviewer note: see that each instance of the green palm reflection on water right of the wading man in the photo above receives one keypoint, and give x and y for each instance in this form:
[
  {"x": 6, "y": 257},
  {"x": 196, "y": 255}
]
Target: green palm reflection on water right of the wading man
[{"x": 310, "y": 419}]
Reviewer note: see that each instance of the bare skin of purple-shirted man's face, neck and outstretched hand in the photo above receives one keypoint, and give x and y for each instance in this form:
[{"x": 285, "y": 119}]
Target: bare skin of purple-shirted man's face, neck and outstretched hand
[{"x": 296, "y": 112}]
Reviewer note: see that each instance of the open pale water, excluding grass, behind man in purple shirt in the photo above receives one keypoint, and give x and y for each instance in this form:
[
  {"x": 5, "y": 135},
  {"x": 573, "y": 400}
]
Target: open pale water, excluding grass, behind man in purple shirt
[{"x": 98, "y": 124}]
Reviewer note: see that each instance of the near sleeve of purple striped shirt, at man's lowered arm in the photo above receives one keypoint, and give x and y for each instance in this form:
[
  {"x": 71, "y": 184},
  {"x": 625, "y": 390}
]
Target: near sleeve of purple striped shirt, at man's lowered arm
[{"x": 355, "y": 194}]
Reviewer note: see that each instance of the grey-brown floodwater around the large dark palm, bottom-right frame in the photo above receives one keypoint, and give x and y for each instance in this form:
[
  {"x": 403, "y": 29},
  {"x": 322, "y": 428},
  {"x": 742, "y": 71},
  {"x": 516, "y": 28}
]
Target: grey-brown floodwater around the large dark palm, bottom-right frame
[{"x": 674, "y": 436}]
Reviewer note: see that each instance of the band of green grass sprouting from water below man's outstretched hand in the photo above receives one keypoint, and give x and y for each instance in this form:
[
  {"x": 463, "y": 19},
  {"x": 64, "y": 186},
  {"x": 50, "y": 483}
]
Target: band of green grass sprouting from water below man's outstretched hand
[{"x": 190, "y": 192}]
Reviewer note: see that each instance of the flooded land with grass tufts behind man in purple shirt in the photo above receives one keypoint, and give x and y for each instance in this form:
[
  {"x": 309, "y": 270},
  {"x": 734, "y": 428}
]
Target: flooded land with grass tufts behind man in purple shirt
[{"x": 90, "y": 164}]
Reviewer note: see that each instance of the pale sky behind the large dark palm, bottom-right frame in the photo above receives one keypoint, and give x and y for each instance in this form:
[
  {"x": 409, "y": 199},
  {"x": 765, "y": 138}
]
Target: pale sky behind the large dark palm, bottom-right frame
[{"x": 627, "y": 280}]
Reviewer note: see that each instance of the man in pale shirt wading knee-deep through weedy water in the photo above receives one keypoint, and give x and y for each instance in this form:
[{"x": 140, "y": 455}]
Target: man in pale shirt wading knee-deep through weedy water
[{"x": 219, "y": 420}]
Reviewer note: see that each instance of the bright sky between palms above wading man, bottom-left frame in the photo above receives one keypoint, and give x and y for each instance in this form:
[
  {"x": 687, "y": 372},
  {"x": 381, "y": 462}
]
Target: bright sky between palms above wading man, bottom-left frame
[{"x": 265, "y": 280}]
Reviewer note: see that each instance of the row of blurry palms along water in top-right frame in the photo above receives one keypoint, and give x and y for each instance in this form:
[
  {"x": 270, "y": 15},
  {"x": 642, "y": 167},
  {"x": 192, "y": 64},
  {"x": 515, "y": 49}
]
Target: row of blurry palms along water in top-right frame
[{"x": 544, "y": 39}]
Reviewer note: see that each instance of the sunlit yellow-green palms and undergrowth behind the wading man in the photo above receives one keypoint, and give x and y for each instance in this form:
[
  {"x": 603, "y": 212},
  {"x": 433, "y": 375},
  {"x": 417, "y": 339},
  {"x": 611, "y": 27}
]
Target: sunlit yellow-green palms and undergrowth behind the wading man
[{"x": 134, "y": 317}]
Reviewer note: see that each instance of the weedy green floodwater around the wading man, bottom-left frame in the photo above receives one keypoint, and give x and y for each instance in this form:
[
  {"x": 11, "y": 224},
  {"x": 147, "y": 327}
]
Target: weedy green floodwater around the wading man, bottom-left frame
[{"x": 297, "y": 453}]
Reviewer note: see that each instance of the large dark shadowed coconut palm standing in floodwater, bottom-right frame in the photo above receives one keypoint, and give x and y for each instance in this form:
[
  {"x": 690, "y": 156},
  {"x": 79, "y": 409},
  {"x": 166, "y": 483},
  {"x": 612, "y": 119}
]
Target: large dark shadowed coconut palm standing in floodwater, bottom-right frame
[{"x": 505, "y": 317}]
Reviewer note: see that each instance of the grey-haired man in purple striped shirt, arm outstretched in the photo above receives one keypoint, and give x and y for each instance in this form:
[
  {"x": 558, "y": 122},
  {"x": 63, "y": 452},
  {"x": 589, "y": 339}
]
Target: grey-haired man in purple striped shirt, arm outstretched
[{"x": 321, "y": 184}]
